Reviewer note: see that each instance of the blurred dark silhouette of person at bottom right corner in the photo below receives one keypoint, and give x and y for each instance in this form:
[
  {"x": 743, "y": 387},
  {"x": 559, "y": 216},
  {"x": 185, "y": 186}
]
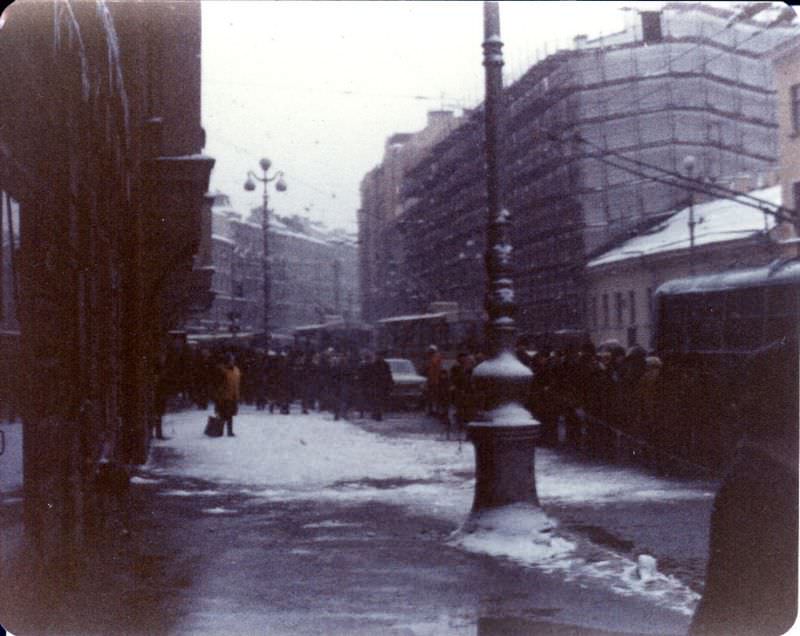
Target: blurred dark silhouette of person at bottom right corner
[{"x": 751, "y": 580}]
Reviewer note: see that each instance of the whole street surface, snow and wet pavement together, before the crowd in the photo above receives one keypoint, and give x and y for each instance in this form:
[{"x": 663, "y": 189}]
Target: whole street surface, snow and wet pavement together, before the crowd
[{"x": 301, "y": 524}]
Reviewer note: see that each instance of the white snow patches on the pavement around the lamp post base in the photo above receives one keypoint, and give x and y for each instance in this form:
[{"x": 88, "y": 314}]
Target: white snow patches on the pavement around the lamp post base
[{"x": 312, "y": 457}]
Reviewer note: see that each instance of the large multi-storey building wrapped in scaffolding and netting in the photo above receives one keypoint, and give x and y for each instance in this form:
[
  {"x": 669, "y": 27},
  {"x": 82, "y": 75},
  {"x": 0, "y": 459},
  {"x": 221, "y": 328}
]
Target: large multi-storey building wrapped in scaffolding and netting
[{"x": 596, "y": 139}]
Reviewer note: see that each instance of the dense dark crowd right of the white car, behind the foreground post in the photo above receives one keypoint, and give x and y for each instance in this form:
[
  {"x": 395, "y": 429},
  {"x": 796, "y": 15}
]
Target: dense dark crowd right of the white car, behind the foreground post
[{"x": 610, "y": 403}]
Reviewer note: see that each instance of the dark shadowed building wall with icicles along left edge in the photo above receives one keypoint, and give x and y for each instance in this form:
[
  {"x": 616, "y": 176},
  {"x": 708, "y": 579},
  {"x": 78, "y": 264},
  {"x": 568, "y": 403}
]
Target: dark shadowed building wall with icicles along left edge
[{"x": 79, "y": 145}]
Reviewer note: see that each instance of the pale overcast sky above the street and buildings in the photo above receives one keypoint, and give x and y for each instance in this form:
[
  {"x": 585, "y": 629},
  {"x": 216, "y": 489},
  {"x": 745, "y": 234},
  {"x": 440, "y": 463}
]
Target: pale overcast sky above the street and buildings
[{"x": 318, "y": 86}]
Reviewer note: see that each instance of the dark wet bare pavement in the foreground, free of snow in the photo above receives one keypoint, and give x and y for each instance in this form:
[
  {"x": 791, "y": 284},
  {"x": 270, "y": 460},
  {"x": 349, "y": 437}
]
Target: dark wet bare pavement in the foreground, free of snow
[{"x": 322, "y": 567}]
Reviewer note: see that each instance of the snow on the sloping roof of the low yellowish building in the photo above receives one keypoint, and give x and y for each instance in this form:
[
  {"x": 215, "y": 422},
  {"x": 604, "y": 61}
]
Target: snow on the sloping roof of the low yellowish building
[{"x": 716, "y": 222}]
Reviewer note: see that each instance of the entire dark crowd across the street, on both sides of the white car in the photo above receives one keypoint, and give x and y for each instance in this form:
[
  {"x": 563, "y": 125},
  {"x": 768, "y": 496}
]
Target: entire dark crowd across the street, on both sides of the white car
[{"x": 604, "y": 401}]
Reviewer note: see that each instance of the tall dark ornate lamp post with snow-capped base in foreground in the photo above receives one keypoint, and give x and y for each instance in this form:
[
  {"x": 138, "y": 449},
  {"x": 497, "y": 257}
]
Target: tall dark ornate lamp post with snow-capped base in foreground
[{"x": 504, "y": 434}]
